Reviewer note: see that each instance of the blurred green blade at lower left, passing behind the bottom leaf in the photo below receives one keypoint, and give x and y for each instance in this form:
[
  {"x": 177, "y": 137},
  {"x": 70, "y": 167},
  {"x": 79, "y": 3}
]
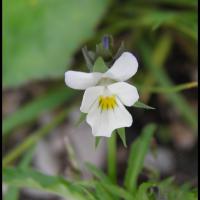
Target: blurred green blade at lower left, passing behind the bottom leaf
[{"x": 12, "y": 192}]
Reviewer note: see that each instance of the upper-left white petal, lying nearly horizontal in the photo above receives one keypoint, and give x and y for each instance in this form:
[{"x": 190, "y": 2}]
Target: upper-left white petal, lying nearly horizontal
[{"x": 81, "y": 80}]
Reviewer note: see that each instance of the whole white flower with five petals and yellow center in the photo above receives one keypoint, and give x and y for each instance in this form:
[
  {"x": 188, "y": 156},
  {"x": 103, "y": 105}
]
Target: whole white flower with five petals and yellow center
[{"x": 106, "y": 94}]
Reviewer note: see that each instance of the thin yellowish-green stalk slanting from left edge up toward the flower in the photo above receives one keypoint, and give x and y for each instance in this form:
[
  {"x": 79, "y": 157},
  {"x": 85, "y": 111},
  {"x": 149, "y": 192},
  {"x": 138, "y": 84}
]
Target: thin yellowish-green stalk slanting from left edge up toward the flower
[{"x": 35, "y": 137}]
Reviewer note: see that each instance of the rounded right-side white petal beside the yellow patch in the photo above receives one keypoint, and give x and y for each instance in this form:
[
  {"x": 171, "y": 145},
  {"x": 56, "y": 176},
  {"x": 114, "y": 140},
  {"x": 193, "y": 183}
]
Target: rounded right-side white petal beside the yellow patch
[{"x": 127, "y": 93}]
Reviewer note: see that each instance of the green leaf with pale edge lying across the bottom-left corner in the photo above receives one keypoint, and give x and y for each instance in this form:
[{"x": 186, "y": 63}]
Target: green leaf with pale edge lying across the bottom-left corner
[{"x": 29, "y": 178}]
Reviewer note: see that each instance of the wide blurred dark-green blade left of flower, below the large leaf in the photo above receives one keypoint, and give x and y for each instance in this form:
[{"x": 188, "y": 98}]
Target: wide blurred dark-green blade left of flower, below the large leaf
[{"x": 32, "y": 110}]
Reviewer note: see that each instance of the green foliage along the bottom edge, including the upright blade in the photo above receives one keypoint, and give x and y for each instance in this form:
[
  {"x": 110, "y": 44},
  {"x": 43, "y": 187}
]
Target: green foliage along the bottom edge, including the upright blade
[{"x": 102, "y": 187}]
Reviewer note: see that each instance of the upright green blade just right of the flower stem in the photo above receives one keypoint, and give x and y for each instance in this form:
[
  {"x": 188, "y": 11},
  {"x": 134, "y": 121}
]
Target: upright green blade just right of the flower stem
[{"x": 138, "y": 151}]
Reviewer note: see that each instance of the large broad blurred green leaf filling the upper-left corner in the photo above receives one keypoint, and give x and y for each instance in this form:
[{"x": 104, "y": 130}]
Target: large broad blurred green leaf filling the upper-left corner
[{"x": 41, "y": 44}]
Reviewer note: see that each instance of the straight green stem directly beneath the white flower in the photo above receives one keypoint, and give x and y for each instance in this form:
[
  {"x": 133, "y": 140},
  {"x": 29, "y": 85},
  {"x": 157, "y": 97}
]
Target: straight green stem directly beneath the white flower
[{"x": 112, "y": 149}]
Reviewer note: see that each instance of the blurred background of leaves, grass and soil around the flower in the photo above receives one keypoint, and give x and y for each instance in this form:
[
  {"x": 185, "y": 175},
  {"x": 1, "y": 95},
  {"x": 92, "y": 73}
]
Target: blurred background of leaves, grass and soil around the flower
[{"x": 43, "y": 39}]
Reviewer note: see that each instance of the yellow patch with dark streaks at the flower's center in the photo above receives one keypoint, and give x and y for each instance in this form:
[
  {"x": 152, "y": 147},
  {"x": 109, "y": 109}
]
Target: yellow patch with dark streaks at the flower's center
[{"x": 107, "y": 102}]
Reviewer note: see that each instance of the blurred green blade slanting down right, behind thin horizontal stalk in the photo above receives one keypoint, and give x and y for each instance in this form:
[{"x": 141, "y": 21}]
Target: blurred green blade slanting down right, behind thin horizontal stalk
[{"x": 161, "y": 76}]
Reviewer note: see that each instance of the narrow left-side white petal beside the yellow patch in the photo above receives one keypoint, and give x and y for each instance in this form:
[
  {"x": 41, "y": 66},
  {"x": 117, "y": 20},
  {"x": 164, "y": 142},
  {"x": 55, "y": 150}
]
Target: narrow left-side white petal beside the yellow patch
[{"x": 90, "y": 96}]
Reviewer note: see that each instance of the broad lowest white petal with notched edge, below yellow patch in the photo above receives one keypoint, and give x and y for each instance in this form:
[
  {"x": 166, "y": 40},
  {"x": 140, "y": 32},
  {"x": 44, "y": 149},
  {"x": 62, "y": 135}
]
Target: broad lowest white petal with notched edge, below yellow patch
[{"x": 103, "y": 123}]
